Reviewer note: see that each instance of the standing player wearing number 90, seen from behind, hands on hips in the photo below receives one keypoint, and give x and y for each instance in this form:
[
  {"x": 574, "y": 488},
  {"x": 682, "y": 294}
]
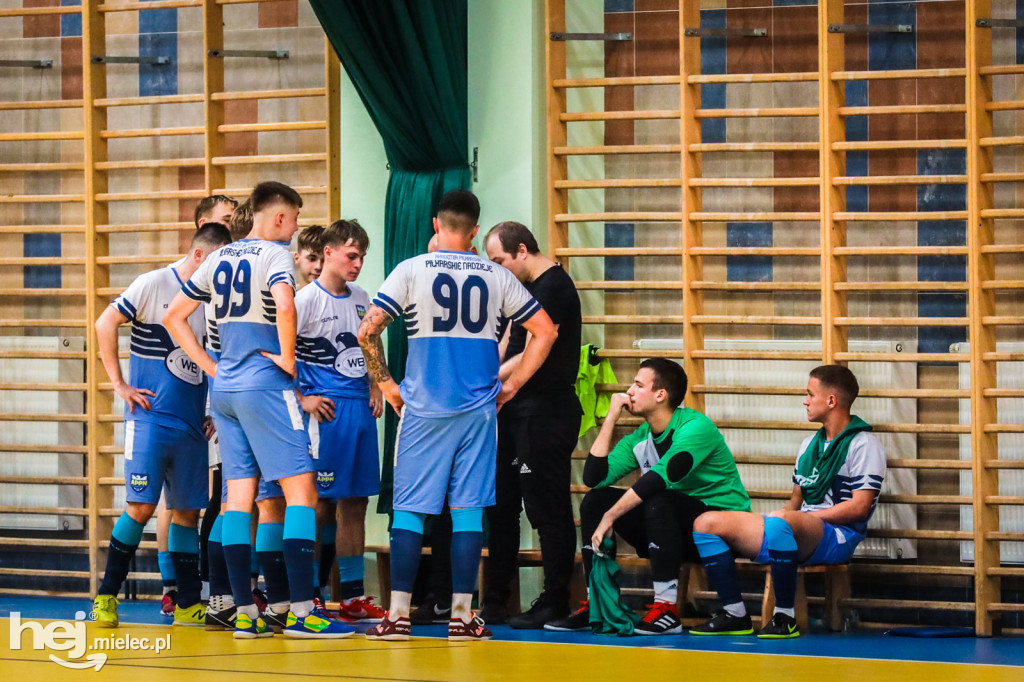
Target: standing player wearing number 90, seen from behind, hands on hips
[{"x": 452, "y": 301}]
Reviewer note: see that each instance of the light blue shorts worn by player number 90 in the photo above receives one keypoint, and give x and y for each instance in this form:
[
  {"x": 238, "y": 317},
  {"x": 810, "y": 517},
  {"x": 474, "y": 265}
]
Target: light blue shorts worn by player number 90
[{"x": 449, "y": 456}]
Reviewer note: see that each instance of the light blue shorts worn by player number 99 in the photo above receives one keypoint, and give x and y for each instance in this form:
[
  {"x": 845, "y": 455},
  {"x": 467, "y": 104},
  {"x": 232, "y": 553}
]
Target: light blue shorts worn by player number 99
[{"x": 262, "y": 434}]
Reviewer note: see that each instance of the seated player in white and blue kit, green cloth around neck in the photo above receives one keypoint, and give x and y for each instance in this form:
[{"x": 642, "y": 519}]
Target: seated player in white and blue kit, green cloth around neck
[{"x": 839, "y": 474}]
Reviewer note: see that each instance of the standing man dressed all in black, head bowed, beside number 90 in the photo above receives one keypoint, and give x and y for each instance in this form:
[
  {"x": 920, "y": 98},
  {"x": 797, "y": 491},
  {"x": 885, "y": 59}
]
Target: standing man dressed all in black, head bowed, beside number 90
[{"x": 537, "y": 433}]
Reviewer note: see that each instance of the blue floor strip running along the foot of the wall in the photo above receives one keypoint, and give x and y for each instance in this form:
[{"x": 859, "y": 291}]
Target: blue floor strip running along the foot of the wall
[{"x": 870, "y": 646}]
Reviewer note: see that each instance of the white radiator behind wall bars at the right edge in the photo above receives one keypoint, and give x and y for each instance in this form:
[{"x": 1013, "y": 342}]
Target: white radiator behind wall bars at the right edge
[{"x": 1011, "y": 411}]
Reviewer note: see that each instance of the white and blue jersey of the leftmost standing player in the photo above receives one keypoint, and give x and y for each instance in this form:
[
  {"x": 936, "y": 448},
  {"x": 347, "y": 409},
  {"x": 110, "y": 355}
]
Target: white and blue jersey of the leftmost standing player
[{"x": 155, "y": 361}]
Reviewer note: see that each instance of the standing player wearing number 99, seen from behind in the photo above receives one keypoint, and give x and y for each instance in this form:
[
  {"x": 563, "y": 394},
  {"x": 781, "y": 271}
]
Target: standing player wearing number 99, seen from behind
[{"x": 254, "y": 405}]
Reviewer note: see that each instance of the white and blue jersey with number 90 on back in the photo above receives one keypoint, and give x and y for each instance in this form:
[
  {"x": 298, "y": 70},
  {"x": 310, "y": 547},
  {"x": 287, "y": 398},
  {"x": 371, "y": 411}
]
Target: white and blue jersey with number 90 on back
[{"x": 452, "y": 303}]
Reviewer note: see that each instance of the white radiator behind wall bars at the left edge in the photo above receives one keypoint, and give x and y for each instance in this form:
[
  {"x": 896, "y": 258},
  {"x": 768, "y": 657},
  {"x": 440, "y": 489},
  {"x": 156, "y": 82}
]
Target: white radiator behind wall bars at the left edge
[{"x": 15, "y": 463}]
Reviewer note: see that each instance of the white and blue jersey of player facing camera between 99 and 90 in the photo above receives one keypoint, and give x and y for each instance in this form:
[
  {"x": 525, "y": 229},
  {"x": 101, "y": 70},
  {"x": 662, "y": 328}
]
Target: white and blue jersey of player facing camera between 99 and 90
[{"x": 329, "y": 359}]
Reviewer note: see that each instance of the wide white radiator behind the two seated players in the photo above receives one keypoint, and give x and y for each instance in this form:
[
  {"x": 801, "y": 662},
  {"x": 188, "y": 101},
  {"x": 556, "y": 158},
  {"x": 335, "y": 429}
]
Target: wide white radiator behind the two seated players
[{"x": 790, "y": 408}]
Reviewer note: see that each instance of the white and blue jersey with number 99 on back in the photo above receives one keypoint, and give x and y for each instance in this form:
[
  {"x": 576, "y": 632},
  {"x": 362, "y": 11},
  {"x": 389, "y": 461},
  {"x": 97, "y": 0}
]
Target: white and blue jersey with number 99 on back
[{"x": 237, "y": 281}]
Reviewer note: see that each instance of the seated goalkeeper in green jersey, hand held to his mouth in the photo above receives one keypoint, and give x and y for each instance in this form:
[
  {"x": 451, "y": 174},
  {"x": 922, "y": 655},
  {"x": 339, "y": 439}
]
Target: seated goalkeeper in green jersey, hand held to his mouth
[{"x": 687, "y": 470}]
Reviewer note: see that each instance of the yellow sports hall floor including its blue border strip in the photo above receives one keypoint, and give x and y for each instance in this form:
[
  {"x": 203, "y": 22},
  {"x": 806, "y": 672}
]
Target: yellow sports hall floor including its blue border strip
[{"x": 195, "y": 655}]
